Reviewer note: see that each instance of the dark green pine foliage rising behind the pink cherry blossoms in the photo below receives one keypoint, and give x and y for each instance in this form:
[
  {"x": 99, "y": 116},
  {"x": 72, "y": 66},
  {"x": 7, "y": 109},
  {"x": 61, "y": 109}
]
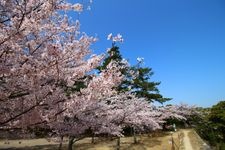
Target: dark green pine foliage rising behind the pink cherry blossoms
[{"x": 140, "y": 84}]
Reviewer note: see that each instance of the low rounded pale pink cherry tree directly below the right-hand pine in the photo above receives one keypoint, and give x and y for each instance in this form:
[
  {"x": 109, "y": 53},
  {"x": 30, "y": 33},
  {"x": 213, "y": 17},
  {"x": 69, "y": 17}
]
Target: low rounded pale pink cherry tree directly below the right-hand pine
[{"x": 132, "y": 112}]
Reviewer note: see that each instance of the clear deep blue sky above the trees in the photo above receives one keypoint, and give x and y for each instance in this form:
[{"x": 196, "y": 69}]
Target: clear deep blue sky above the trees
[{"x": 183, "y": 41}]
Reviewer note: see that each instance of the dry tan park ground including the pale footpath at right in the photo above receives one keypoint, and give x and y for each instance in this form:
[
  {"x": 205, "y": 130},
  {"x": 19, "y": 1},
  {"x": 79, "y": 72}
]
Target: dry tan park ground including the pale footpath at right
[{"x": 181, "y": 140}]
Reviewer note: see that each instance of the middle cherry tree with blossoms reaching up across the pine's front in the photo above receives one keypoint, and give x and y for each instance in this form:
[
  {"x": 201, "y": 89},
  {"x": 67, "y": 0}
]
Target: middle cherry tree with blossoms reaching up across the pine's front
[{"x": 83, "y": 106}]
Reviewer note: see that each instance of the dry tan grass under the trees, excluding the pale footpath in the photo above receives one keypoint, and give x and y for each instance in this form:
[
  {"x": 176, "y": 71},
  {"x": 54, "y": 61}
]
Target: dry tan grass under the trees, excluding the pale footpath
[{"x": 145, "y": 142}]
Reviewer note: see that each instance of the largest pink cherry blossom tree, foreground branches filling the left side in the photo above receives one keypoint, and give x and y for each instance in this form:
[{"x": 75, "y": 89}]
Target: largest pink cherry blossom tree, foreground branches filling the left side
[{"x": 41, "y": 52}]
